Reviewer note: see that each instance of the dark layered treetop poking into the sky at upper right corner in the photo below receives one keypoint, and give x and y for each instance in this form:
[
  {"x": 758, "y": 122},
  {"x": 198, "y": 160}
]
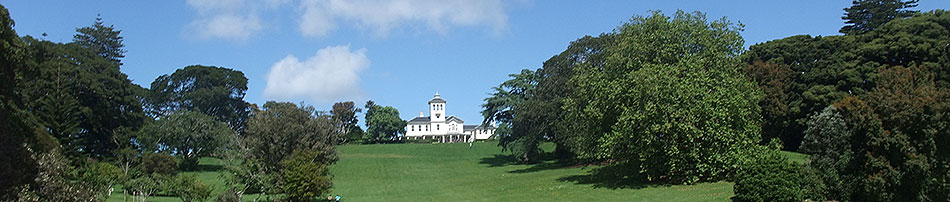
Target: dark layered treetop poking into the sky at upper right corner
[{"x": 866, "y": 15}]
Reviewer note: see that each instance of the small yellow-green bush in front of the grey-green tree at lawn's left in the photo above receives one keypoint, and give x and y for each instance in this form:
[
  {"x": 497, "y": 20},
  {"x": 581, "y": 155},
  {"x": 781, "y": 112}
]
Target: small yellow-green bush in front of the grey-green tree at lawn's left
[{"x": 306, "y": 175}]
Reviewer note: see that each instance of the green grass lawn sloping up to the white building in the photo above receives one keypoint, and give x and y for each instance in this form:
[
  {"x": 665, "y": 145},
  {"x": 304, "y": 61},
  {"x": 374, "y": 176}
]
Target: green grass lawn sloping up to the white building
[{"x": 453, "y": 172}]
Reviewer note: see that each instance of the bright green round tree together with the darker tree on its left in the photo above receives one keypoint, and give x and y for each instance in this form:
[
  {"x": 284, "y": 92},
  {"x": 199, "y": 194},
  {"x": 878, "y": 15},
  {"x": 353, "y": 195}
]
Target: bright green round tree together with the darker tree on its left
[{"x": 662, "y": 96}]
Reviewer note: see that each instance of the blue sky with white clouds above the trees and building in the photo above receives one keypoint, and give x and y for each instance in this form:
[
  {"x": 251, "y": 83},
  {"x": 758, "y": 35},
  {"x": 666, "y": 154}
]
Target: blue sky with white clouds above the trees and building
[{"x": 397, "y": 53}]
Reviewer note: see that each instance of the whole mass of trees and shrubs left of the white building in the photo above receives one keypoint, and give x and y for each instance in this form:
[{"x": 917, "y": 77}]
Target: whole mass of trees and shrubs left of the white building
[{"x": 73, "y": 127}]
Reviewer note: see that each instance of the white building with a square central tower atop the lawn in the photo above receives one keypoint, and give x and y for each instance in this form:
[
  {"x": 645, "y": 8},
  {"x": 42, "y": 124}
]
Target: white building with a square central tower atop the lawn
[{"x": 444, "y": 128}]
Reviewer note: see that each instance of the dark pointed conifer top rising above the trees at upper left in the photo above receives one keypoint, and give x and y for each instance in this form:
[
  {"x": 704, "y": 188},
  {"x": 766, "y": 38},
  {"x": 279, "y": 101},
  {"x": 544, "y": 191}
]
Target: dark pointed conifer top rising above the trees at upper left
[{"x": 104, "y": 41}]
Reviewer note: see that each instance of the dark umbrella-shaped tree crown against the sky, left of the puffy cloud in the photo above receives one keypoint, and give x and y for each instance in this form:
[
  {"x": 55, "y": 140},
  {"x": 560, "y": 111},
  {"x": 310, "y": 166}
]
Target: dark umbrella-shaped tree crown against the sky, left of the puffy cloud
[{"x": 215, "y": 91}]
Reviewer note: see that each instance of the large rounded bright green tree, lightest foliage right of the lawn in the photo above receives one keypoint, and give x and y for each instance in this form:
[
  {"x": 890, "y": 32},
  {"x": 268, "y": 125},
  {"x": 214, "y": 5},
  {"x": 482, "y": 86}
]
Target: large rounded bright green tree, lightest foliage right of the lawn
[{"x": 671, "y": 99}]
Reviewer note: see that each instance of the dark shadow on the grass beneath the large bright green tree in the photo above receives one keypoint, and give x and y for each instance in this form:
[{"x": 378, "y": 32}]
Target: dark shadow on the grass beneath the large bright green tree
[{"x": 611, "y": 177}]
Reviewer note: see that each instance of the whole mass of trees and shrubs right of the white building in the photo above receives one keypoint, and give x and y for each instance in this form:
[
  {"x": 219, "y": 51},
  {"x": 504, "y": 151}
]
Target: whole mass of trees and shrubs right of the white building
[{"x": 677, "y": 99}]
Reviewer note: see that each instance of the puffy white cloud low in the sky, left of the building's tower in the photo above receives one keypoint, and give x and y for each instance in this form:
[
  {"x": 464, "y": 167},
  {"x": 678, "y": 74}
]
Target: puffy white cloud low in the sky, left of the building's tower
[{"x": 330, "y": 75}]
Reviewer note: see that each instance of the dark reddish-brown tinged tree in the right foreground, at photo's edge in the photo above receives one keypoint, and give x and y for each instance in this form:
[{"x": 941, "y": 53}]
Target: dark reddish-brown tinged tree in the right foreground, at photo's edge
[{"x": 890, "y": 146}]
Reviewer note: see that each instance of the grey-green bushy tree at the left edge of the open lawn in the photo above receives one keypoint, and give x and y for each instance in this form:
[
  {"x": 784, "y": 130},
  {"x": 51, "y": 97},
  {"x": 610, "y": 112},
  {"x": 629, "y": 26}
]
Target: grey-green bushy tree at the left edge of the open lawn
[{"x": 275, "y": 133}]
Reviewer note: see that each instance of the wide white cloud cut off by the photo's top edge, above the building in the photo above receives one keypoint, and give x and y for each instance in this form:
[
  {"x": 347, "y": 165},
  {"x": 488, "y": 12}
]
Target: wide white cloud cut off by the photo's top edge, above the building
[{"x": 383, "y": 16}]
